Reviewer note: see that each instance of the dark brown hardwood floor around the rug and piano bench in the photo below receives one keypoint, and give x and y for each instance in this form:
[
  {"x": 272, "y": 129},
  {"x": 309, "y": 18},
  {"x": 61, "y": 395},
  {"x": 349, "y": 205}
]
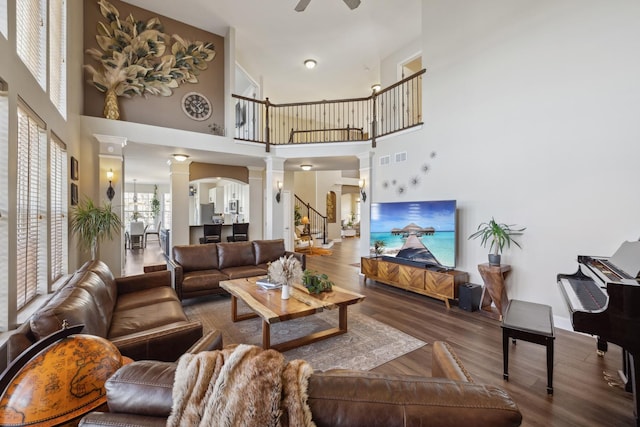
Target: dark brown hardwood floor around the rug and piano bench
[{"x": 582, "y": 396}]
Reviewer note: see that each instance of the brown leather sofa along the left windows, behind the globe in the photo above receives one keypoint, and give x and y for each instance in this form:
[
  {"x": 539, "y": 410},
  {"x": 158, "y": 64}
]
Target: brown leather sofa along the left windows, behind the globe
[{"x": 140, "y": 314}]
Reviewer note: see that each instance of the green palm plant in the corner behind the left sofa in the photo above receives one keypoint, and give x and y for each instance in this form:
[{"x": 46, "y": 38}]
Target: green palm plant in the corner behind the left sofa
[{"x": 93, "y": 224}]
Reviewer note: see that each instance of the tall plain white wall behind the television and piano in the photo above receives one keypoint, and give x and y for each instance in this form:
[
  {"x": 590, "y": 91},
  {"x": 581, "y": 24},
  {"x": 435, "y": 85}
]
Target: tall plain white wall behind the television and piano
[{"x": 531, "y": 110}]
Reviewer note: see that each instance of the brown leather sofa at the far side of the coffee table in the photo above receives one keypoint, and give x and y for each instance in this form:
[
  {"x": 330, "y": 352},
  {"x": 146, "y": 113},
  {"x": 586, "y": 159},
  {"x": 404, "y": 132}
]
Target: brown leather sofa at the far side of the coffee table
[{"x": 199, "y": 269}]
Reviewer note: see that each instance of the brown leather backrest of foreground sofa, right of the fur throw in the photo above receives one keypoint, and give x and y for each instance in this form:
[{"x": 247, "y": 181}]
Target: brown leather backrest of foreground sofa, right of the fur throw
[{"x": 345, "y": 398}]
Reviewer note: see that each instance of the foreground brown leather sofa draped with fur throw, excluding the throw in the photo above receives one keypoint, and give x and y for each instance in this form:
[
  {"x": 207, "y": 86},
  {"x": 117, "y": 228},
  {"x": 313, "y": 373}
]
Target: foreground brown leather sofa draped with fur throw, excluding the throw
[{"x": 139, "y": 394}]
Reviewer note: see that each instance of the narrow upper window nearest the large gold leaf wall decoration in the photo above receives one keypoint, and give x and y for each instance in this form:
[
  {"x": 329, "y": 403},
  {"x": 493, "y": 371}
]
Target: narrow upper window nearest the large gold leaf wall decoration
[{"x": 58, "y": 55}]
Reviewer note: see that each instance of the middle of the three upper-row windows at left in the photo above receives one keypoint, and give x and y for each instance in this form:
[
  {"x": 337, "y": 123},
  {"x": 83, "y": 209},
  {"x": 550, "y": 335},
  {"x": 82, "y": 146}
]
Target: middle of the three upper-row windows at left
[{"x": 31, "y": 37}]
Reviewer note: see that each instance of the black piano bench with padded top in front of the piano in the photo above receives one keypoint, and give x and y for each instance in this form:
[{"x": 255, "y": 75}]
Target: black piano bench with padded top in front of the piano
[{"x": 530, "y": 322}]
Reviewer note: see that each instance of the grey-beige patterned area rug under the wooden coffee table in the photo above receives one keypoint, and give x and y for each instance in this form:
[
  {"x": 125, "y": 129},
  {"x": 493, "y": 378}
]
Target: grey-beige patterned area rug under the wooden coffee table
[{"x": 367, "y": 344}]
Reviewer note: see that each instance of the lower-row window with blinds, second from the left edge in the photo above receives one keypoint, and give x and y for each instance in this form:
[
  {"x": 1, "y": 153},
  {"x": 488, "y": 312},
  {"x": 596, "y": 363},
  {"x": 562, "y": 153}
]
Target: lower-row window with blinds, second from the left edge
[{"x": 31, "y": 236}]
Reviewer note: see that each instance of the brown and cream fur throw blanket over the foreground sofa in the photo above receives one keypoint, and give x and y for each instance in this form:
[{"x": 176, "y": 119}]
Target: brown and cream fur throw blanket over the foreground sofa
[{"x": 240, "y": 386}]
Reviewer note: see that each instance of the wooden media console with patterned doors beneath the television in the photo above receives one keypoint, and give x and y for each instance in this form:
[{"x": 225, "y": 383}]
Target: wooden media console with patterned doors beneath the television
[{"x": 439, "y": 284}]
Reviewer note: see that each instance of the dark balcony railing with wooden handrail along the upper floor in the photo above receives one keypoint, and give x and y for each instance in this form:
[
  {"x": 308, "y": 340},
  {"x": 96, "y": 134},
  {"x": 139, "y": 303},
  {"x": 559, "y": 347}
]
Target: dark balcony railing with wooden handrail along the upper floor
[{"x": 392, "y": 109}]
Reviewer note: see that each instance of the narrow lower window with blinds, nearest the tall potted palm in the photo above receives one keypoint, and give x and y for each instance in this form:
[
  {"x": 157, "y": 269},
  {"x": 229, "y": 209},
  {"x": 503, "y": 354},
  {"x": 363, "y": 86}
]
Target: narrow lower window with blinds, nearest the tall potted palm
[{"x": 58, "y": 208}]
